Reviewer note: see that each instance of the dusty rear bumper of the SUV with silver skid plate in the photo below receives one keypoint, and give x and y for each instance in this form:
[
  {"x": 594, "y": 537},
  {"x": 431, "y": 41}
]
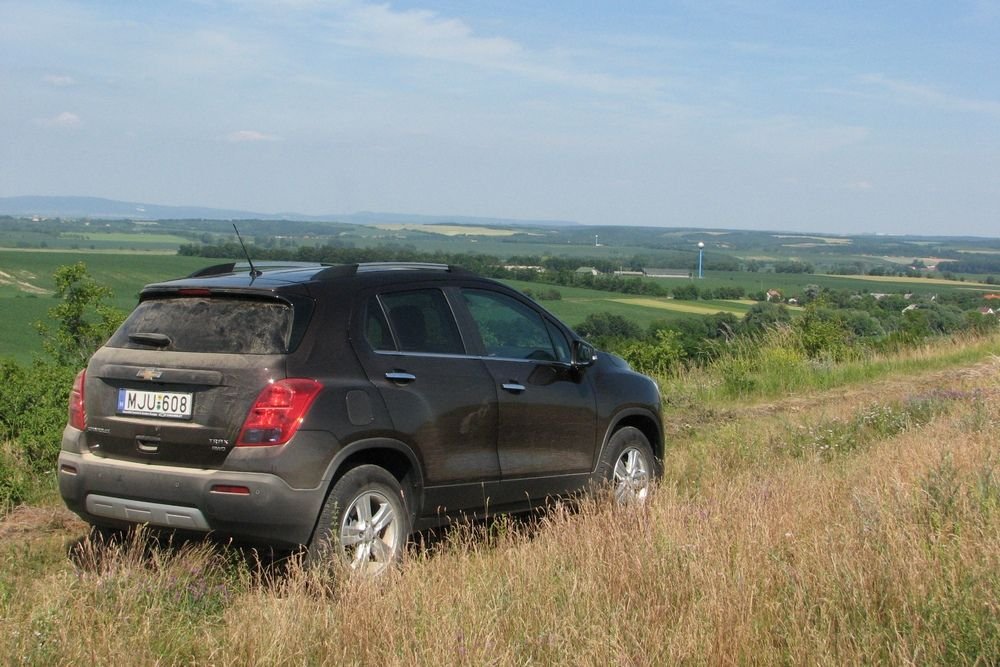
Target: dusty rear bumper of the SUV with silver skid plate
[{"x": 113, "y": 492}]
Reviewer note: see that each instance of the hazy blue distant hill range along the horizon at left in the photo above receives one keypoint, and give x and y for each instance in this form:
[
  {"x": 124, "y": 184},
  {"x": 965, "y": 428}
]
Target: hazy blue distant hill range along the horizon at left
[{"x": 111, "y": 209}]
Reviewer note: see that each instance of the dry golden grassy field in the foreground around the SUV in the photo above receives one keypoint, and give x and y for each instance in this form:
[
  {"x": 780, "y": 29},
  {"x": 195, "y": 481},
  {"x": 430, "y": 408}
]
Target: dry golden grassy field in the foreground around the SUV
[{"x": 855, "y": 525}]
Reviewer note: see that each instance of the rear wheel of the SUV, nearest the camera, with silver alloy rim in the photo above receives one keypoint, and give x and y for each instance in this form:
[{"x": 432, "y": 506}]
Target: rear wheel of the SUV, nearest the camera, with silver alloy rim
[{"x": 364, "y": 522}]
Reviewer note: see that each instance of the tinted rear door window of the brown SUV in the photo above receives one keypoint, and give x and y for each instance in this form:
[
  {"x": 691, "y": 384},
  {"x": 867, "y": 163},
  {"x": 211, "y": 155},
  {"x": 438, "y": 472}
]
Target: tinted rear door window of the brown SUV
[{"x": 421, "y": 321}]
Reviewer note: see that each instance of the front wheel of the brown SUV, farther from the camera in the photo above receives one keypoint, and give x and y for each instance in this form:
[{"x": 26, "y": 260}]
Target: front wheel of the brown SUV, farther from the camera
[{"x": 627, "y": 466}]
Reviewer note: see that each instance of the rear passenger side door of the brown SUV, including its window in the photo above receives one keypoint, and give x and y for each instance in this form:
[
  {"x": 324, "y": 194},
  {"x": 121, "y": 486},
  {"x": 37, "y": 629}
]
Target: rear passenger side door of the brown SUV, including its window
[{"x": 441, "y": 400}]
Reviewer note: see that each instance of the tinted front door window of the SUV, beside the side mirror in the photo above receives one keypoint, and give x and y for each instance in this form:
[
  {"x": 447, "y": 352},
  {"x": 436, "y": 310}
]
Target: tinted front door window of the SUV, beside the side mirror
[{"x": 510, "y": 329}]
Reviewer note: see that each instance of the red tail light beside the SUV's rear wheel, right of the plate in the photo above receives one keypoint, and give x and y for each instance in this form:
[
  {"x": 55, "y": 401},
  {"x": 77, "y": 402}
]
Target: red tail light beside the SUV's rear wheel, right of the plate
[{"x": 277, "y": 412}]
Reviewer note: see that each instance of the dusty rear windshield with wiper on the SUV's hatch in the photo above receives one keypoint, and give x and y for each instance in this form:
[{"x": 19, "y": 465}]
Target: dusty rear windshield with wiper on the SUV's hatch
[{"x": 215, "y": 325}]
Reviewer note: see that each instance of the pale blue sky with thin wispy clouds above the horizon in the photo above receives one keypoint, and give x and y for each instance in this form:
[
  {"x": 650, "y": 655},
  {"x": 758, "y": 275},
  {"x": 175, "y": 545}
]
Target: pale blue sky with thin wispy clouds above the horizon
[{"x": 837, "y": 117}]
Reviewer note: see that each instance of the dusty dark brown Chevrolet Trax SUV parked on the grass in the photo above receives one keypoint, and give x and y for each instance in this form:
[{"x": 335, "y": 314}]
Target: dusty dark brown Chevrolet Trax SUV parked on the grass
[{"x": 342, "y": 407}]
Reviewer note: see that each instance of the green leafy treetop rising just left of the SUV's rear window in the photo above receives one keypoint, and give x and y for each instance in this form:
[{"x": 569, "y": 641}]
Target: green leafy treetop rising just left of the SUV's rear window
[{"x": 82, "y": 321}]
